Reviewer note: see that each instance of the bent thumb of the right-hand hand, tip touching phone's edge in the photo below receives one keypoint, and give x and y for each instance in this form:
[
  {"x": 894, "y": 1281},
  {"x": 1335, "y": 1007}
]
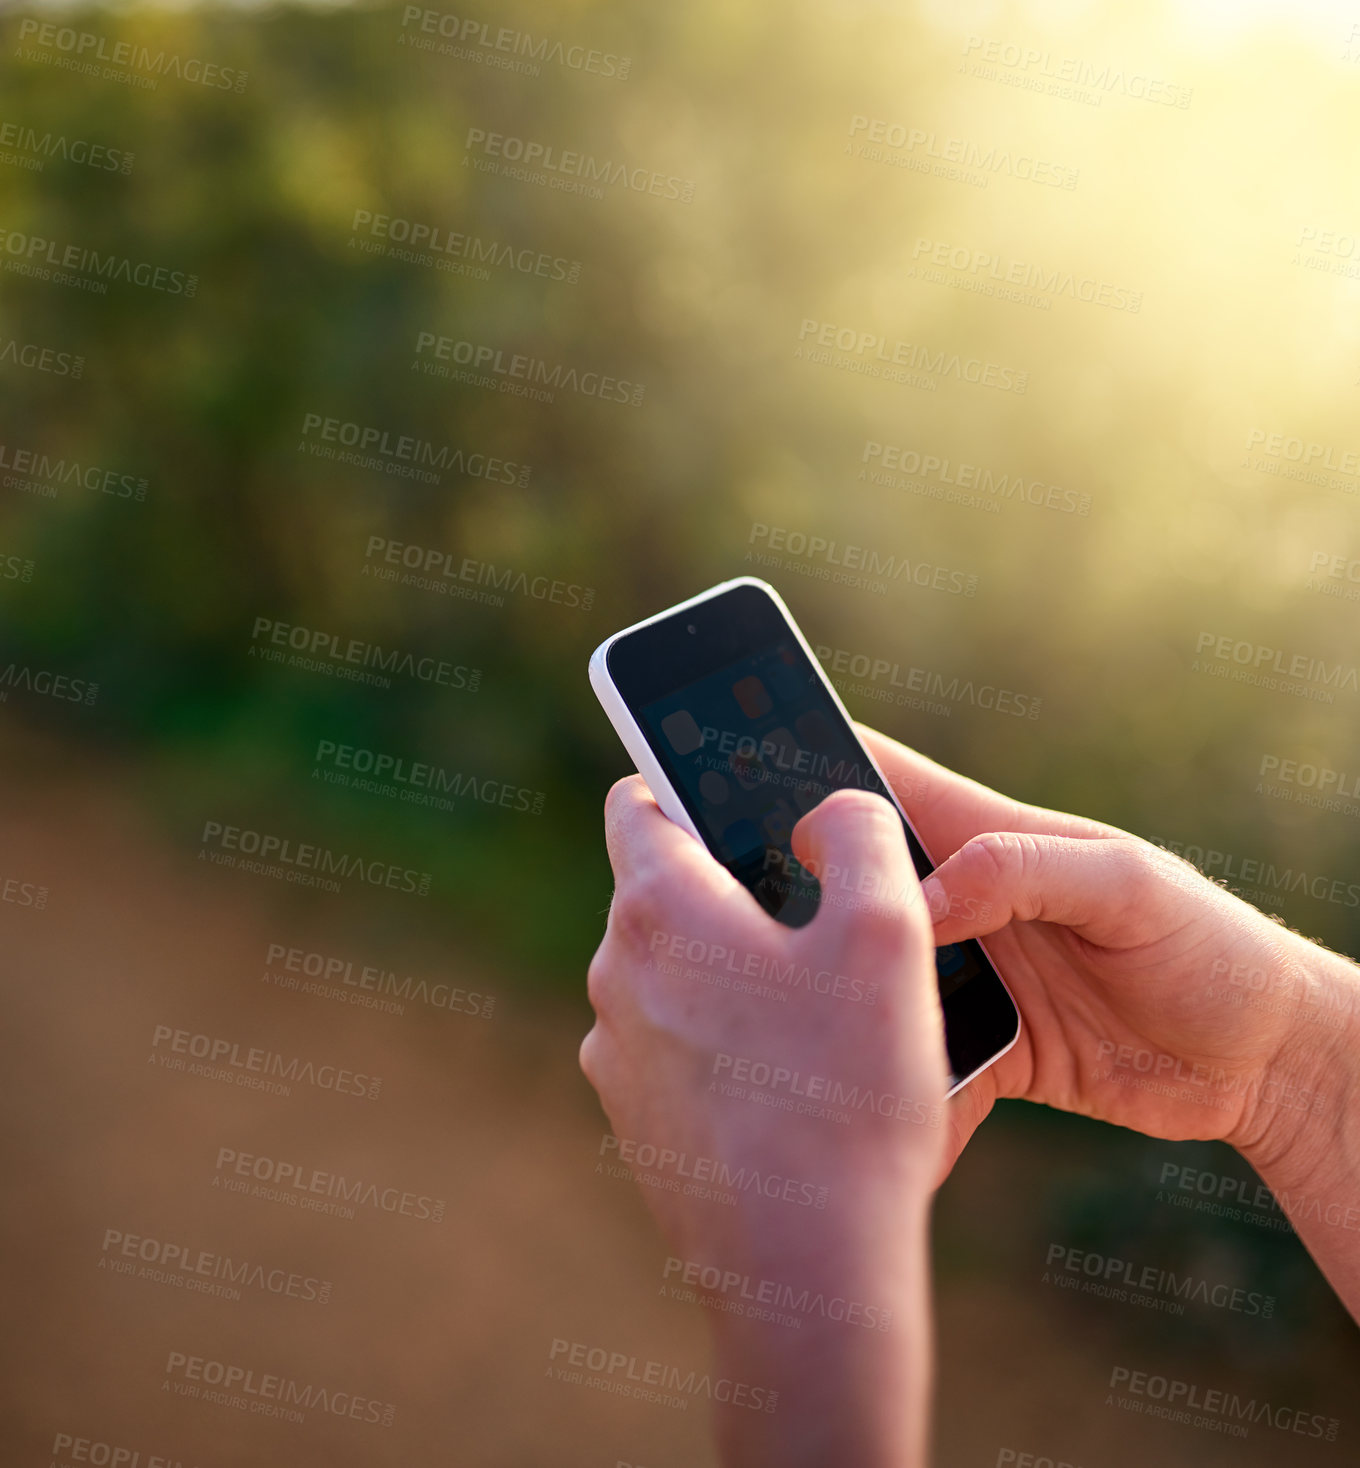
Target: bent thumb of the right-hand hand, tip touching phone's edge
[{"x": 1089, "y": 884}]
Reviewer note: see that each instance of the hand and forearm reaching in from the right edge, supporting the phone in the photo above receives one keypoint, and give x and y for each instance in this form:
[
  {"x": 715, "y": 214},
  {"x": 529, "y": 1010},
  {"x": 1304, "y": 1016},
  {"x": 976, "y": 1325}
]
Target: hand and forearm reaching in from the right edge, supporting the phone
[{"x": 1129, "y": 965}]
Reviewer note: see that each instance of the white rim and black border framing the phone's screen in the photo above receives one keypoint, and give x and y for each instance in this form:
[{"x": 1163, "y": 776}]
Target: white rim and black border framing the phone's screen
[{"x": 972, "y": 1011}]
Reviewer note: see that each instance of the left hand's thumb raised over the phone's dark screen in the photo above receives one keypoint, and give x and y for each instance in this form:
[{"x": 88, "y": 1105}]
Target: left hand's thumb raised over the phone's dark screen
[{"x": 856, "y": 846}]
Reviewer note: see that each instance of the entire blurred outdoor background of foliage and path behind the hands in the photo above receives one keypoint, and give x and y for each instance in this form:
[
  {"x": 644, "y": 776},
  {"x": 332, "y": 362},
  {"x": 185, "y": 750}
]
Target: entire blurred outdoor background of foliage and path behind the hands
[{"x": 340, "y": 333}]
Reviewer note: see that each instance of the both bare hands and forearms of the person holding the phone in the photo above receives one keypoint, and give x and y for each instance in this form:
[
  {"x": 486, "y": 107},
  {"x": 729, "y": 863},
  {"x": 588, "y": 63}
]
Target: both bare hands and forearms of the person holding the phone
[{"x": 1149, "y": 996}]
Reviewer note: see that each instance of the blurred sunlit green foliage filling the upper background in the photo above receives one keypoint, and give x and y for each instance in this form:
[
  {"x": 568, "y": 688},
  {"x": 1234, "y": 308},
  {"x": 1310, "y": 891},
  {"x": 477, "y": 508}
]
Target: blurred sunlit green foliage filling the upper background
[{"x": 206, "y": 397}]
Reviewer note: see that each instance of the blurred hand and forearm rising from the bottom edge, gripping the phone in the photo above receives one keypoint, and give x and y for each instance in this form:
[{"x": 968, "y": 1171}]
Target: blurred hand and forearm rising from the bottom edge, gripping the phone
[{"x": 850, "y": 1394}]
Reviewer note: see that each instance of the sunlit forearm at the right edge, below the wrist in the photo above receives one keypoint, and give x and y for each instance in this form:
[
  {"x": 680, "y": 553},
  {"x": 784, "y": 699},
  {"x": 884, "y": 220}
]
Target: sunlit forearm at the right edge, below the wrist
[{"x": 1312, "y": 1162}]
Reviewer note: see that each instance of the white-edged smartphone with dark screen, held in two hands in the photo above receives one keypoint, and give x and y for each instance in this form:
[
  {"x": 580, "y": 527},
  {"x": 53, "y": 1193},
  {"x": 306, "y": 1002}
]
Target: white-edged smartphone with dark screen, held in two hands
[{"x": 738, "y": 732}]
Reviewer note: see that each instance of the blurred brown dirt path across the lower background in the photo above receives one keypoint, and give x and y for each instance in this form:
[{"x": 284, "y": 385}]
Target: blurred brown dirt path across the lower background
[{"x": 115, "y": 1160}]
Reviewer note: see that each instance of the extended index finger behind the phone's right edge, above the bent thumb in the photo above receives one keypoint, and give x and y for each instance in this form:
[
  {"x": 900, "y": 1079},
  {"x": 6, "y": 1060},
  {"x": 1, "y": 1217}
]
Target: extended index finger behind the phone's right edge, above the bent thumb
[{"x": 950, "y": 810}]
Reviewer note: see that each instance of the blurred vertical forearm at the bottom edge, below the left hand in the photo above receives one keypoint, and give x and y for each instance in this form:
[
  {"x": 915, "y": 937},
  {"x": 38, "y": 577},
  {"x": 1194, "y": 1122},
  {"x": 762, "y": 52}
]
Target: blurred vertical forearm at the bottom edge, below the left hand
[{"x": 853, "y": 1391}]
